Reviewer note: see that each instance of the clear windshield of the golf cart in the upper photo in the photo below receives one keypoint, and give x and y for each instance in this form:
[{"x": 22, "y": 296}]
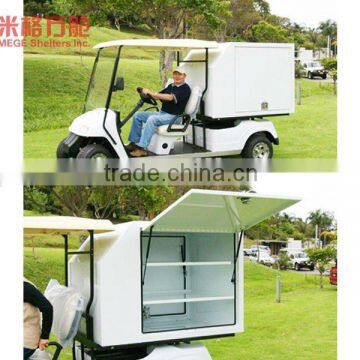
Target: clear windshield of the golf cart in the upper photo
[{"x": 100, "y": 79}]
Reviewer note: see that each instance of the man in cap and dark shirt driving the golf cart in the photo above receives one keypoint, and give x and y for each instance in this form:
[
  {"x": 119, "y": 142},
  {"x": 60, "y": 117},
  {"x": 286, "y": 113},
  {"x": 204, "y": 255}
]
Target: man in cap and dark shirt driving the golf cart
[{"x": 174, "y": 99}]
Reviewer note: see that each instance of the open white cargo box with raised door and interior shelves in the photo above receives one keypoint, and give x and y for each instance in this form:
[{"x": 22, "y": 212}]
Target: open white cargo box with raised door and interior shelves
[{"x": 183, "y": 284}]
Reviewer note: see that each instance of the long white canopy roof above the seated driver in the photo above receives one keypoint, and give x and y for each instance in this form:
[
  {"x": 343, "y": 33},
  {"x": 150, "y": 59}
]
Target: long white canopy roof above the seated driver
[{"x": 160, "y": 44}]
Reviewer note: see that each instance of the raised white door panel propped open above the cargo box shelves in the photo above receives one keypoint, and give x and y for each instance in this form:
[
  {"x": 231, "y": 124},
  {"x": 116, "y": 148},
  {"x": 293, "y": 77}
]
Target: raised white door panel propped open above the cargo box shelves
[{"x": 218, "y": 211}]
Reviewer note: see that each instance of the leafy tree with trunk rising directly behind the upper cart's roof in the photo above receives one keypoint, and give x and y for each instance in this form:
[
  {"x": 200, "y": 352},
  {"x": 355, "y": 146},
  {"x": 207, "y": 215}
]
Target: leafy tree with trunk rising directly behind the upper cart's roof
[{"x": 167, "y": 19}]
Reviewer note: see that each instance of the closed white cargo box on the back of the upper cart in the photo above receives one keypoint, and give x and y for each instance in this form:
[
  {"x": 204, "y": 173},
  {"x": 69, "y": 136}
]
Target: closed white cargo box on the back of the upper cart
[{"x": 245, "y": 79}]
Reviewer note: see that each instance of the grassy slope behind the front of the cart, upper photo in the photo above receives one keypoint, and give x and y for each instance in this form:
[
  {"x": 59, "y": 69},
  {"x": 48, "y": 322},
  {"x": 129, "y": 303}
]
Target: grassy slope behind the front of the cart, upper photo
[{"x": 55, "y": 88}]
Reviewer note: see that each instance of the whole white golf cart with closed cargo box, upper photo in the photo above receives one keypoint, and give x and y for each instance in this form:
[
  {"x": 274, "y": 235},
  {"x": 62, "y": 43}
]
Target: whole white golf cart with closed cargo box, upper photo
[{"x": 234, "y": 86}]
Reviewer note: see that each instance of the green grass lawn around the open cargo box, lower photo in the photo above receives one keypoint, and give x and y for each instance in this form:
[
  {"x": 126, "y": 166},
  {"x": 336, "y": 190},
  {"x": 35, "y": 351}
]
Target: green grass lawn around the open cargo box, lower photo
[{"x": 303, "y": 326}]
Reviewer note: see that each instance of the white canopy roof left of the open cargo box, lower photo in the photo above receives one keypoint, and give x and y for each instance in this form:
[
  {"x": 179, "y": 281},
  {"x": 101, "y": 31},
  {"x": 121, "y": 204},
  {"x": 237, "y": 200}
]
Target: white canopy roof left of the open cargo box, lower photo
[{"x": 62, "y": 225}]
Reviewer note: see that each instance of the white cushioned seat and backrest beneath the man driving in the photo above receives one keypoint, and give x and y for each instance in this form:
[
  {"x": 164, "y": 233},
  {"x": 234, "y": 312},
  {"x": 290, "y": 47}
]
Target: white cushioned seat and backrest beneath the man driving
[{"x": 191, "y": 109}]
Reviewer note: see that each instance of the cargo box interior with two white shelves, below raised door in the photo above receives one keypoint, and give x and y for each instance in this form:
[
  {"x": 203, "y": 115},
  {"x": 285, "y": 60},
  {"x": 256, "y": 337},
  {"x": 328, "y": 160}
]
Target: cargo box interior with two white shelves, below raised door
[{"x": 188, "y": 281}]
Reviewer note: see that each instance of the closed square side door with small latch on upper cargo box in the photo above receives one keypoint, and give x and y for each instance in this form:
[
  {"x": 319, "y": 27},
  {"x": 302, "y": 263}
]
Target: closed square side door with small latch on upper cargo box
[{"x": 264, "y": 80}]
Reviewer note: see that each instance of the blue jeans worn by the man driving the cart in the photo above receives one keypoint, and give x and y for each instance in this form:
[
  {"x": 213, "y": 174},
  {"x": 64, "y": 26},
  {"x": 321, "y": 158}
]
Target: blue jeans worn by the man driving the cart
[{"x": 144, "y": 126}]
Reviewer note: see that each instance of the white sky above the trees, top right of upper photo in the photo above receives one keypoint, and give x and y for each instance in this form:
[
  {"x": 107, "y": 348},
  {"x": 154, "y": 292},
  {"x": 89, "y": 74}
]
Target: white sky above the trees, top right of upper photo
[{"x": 306, "y": 12}]
